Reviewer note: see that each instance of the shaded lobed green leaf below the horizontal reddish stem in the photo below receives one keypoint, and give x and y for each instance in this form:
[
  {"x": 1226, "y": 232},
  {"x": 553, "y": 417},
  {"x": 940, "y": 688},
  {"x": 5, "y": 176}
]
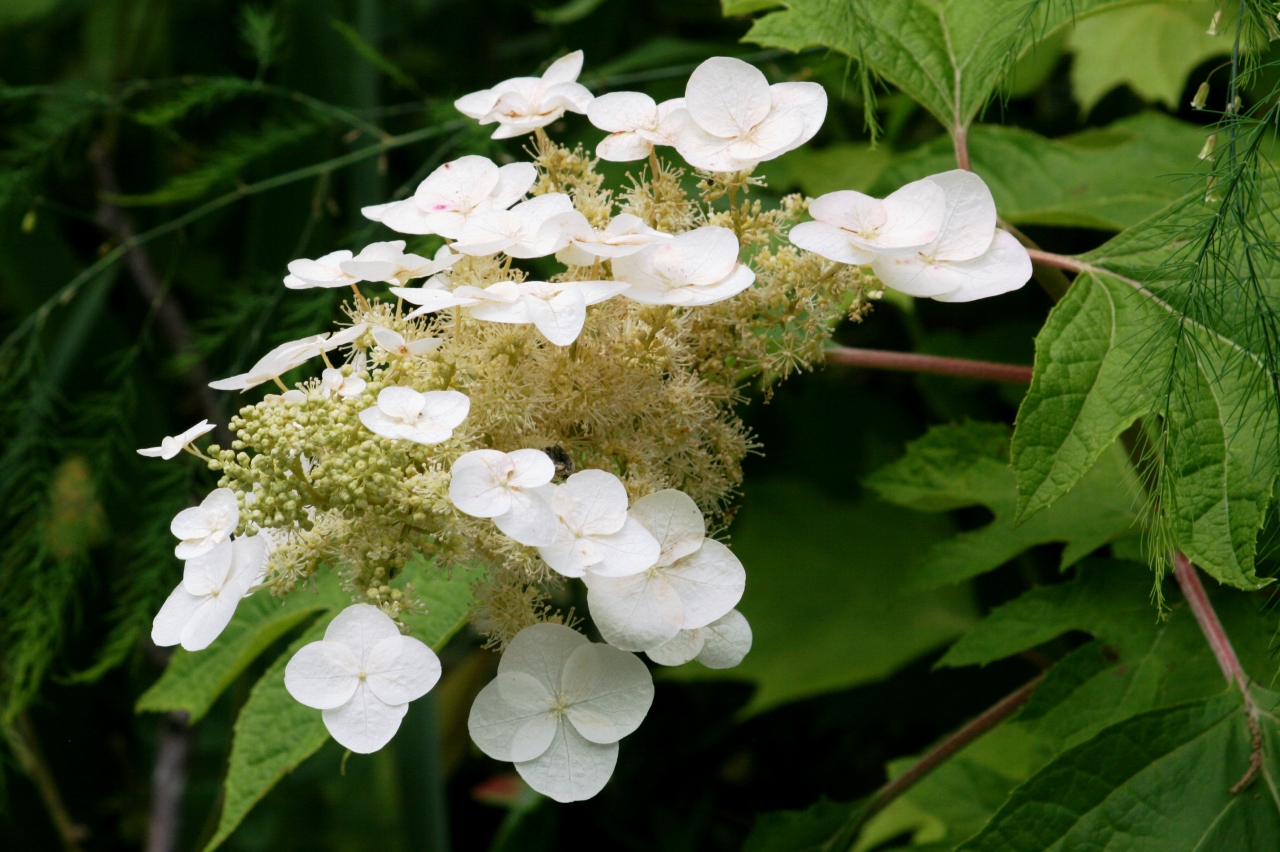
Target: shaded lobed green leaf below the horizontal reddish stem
[{"x": 964, "y": 465}]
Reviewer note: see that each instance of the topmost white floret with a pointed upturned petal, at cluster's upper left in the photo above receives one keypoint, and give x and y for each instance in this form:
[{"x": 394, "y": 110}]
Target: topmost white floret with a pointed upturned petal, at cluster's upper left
[{"x": 524, "y": 104}]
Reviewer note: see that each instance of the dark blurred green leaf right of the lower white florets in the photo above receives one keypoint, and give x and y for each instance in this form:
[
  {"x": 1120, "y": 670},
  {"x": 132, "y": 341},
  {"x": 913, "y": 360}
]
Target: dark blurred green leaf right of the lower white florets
[{"x": 824, "y": 597}]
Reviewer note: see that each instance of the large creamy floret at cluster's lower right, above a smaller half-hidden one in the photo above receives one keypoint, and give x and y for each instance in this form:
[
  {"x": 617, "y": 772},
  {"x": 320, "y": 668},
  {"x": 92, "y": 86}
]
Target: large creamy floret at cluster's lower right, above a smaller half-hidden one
[{"x": 694, "y": 581}]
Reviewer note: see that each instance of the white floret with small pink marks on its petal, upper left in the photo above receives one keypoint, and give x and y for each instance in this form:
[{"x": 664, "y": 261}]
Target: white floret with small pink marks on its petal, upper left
[{"x": 455, "y": 193}]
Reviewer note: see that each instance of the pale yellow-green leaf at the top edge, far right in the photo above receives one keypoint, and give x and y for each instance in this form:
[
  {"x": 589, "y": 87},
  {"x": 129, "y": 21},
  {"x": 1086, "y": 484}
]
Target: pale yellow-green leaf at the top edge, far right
[{"x": 1150, "y": 48}]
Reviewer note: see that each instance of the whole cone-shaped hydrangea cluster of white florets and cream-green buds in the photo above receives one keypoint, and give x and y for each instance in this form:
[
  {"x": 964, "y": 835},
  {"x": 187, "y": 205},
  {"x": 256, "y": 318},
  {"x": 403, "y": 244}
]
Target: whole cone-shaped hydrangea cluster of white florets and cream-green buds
[{"x": 524, "y": 434}]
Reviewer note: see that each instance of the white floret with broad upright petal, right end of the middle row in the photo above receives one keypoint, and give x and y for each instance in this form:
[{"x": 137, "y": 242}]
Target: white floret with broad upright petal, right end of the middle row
[{"x": 697, "y": 268}]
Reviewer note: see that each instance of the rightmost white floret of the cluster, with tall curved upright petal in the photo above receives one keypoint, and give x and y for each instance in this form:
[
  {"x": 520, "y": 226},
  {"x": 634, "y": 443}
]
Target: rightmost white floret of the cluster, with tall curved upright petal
[{"x": 970, "y": 259}]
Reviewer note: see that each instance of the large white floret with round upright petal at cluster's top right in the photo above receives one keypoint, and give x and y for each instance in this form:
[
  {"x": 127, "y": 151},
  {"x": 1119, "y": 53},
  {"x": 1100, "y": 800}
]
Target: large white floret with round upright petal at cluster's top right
[{"x": 737, "y": 120}]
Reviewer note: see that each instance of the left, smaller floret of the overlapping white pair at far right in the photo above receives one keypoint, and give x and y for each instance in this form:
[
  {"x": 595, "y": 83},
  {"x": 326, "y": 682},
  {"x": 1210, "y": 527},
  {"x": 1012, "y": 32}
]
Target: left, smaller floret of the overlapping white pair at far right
[{"x": 853, "y": 228}]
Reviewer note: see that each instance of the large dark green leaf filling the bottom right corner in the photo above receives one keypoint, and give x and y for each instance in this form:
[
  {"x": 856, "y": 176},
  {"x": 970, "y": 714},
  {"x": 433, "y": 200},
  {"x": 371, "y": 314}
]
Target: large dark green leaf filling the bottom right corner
[{"x": 1159, "y": 782}]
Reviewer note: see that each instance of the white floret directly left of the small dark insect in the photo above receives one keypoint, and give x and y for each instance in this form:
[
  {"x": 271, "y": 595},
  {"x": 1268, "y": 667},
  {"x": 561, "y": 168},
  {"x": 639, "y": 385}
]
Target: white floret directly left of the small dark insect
[{"x": 504, "y": 487}]
